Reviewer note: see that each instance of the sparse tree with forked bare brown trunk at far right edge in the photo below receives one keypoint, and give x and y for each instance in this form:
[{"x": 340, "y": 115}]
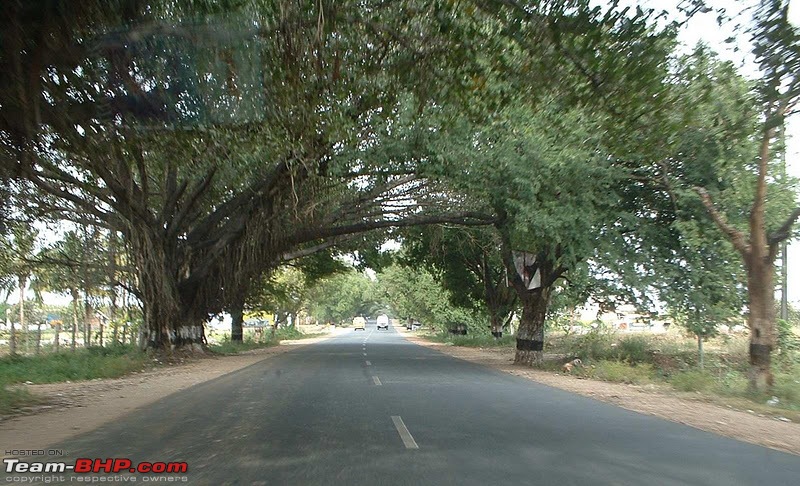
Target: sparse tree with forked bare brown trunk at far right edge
[{"x": 776, "y": 45}]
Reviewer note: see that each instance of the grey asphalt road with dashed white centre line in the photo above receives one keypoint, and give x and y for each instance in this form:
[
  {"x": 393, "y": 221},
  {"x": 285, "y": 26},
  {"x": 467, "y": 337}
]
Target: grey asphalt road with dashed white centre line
[{"x": 368, "y": 407}]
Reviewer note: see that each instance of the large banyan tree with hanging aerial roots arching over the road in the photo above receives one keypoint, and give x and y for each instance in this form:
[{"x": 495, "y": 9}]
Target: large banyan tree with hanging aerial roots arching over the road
[{"x": 217, "y": 140}]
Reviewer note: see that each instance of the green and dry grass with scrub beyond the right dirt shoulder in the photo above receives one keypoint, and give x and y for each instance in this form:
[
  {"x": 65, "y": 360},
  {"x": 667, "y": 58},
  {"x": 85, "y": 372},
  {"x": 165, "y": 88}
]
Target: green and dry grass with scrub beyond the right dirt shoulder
[{"x": 668, "y": 359}]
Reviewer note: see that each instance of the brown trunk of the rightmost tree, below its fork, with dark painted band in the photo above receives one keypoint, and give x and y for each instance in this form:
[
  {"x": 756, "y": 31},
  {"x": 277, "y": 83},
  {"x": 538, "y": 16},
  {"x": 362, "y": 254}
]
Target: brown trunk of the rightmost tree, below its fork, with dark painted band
[{"x": 761, "y": 320}]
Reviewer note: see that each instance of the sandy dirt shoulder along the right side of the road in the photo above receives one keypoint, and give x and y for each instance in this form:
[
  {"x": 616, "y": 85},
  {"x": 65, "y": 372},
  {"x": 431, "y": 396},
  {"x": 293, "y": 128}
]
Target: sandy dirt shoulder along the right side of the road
[{"x": 651, "y": 399}]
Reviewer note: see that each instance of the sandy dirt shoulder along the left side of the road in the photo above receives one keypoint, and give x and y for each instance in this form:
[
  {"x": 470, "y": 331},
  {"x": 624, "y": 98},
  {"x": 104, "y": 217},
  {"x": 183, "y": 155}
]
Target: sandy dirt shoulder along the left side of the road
[{"x": 68, "y": 409}]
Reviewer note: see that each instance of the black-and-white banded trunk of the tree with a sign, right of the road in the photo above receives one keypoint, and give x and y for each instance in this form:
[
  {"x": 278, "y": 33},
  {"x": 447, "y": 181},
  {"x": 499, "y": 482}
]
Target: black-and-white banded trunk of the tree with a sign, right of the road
[{"x": 530, "y": 335}]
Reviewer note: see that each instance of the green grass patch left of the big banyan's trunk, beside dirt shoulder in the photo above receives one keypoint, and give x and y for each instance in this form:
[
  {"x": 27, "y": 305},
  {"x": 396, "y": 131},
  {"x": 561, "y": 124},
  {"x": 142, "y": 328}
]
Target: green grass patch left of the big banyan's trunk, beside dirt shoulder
[{"x": 83, "y": 364}]
